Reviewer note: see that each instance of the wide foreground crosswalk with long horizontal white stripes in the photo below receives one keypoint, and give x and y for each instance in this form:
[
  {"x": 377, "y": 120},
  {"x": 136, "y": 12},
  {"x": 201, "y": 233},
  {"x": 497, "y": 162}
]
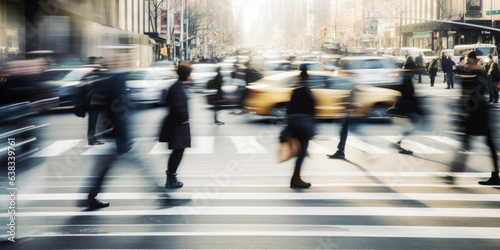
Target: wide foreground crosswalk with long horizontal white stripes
[{"x": 353, "y": 209}]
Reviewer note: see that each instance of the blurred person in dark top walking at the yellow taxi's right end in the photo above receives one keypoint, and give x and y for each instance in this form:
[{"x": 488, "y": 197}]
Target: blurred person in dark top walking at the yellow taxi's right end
[{"x": 407, "y": 110}]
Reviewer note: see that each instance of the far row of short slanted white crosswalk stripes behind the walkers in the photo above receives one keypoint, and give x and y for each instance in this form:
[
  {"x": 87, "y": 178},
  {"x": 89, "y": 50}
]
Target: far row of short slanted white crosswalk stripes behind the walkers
[{"x": 253, "y": 145}]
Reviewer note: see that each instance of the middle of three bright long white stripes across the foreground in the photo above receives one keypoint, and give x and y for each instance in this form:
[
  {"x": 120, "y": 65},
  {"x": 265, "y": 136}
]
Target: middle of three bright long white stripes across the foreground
[{"x": 281, "y": 210}]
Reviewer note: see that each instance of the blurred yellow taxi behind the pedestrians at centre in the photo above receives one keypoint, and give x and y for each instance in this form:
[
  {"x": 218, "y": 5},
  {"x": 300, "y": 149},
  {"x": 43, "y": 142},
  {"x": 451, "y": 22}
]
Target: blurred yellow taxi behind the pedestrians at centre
[{"x": 271, "y": 95}]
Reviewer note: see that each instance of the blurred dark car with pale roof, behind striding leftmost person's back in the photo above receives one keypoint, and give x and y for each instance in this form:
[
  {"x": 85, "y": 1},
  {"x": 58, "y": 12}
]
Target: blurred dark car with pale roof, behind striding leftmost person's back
[{"x": 66, "y": 82}]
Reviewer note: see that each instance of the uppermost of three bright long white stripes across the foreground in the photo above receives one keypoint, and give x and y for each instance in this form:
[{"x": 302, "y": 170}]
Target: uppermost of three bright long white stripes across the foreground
[{"x": 269, "y": 196}]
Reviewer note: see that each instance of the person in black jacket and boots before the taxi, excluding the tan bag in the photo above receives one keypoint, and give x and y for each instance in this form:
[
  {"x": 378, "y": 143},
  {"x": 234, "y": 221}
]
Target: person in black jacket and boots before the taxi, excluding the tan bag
[{"x": 301, "y": 111}]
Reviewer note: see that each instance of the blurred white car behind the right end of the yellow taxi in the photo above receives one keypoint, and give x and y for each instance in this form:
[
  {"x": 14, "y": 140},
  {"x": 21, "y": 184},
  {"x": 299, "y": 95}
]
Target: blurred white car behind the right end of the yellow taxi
[{"x": 370, "y": 70}]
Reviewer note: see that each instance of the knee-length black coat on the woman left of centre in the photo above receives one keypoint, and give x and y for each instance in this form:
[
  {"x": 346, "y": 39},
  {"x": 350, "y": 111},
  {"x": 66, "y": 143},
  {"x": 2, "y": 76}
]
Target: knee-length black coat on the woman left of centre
[{"x": 173, "y": 131}]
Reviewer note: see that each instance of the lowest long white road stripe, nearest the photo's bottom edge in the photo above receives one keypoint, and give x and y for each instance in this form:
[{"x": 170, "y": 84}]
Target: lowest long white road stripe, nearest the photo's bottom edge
[{"x": 306, "y": 231}]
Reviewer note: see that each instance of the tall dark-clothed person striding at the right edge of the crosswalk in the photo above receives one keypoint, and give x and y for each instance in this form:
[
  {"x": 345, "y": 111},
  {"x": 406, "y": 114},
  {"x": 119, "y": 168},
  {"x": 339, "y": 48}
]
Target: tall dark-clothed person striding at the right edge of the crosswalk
[{"x": 474, "y": 117}]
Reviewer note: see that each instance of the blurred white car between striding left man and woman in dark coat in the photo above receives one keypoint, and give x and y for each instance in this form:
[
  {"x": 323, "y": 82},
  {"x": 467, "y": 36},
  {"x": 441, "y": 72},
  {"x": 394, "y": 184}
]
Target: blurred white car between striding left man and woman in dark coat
[{"x": 145, "y": 85}]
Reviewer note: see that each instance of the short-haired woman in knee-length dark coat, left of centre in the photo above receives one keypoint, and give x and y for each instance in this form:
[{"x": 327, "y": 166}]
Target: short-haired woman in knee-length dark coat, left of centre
[{"x": 175, "y": 129}]
